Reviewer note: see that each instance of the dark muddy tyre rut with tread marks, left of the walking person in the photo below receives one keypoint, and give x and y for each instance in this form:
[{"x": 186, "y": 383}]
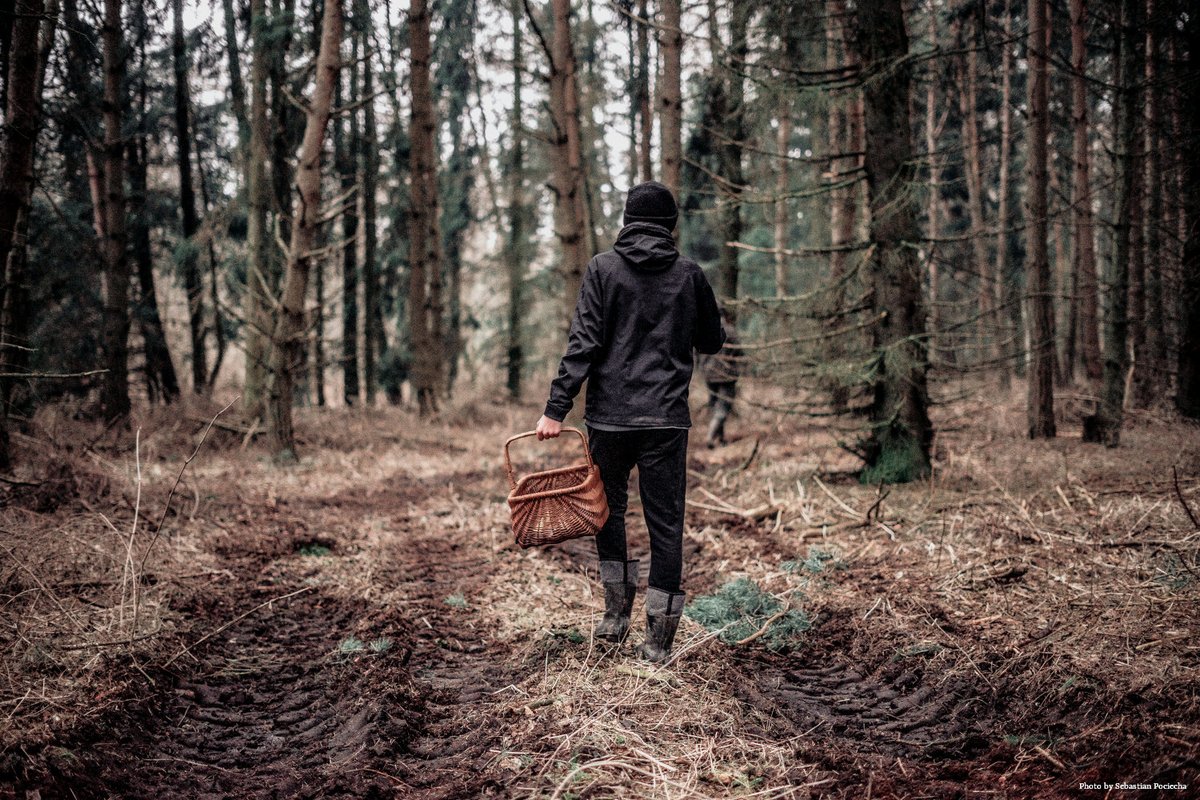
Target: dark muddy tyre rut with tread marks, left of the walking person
[{"x": 274, "y": 709}]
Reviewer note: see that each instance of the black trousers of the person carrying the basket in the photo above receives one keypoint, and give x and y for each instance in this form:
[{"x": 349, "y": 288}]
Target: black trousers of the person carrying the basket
[{"x": 662, "y": 460}]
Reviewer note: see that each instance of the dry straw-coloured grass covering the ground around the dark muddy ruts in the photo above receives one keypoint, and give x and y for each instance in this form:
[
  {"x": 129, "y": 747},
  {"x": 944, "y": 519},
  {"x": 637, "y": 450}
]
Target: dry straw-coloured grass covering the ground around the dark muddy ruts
[{"x": 1059, "y": 573}]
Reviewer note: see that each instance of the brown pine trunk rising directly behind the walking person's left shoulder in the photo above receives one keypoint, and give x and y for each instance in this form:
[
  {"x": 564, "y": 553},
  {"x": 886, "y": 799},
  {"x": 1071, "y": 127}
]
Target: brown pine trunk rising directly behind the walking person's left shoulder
[{"x": 567, "y": 159}]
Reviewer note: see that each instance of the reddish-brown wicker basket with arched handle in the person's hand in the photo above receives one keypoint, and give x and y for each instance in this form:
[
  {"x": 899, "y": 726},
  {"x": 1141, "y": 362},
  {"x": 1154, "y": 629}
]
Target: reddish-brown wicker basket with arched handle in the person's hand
[{"x": 557, "y": 504}]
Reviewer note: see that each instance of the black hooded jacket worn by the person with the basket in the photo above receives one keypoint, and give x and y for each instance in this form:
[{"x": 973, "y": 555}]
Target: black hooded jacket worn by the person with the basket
[{"x": 641, "y": 311}]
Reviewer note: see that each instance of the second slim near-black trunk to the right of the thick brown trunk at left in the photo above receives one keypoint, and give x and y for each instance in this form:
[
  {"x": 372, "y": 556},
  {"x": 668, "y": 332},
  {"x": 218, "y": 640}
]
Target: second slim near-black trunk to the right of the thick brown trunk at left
[{"x": 190, "y": 266}]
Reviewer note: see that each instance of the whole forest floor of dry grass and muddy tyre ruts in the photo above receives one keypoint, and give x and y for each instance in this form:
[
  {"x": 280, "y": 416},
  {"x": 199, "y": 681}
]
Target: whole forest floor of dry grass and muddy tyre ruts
[{"x": 362, "y": 625}]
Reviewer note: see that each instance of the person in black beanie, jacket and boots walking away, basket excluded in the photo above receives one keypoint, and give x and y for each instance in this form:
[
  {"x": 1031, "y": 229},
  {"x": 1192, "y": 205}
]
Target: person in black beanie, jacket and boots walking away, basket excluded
[{"x": 643, "y": 310}]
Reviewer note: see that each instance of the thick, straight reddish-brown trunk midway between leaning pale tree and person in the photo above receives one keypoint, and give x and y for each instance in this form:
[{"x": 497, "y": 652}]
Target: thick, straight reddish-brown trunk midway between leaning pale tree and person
[{"x": 425, "y": 237}]
